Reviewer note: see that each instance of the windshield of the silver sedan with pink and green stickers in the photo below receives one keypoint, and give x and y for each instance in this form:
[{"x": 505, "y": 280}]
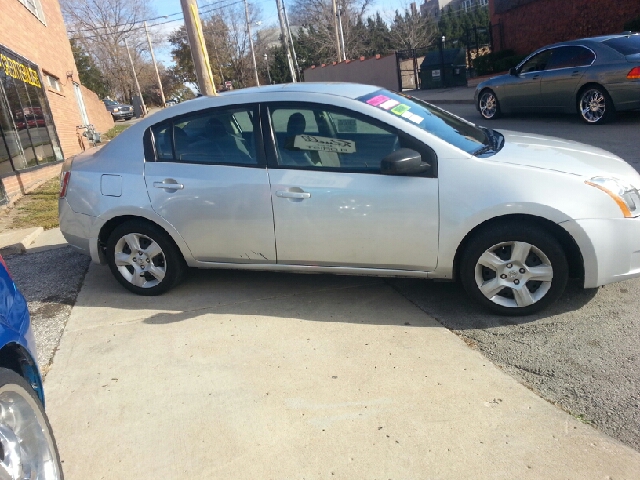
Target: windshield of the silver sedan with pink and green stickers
[{"x": 454, "y": 130}]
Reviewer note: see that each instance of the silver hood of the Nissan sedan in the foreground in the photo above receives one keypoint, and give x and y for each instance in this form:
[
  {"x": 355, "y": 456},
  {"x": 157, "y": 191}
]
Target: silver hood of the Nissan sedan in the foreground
[{"x": 567, "y": 156}]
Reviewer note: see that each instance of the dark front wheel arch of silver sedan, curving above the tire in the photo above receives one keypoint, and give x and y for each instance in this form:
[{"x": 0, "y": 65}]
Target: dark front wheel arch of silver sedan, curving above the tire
[{"x": 567, "y": 242}]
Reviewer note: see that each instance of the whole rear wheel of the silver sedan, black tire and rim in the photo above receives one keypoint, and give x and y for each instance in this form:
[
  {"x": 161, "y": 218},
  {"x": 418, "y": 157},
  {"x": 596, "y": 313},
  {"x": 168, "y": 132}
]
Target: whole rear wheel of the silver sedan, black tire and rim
[{"x": 144, "y": 267}]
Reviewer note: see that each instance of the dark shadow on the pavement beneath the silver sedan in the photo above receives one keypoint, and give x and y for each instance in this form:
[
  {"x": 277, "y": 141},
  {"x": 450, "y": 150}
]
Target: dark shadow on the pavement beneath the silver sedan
[{"x": 319, "y": 298}]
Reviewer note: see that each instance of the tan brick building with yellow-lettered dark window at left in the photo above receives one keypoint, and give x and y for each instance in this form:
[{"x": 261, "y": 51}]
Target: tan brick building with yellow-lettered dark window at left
[{"x": 41, "y": 98}]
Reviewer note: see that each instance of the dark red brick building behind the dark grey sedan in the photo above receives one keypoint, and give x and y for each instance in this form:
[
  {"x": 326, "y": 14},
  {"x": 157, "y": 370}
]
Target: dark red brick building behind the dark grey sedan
[{"x": 525, "y": 25}]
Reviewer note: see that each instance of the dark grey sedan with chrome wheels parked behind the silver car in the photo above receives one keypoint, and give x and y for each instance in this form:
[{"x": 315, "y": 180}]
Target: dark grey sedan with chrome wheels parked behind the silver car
[{"x": 593, "y": 77}]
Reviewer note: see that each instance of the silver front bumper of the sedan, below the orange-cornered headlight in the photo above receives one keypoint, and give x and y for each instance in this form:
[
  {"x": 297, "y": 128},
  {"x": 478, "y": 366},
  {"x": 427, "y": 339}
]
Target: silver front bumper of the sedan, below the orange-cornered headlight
[{"x": 610, "y": 249}]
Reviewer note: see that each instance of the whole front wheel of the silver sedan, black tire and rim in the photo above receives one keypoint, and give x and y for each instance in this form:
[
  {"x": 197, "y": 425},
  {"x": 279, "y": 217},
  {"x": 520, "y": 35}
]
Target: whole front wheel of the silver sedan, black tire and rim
[{"x": 506, "y": 242}]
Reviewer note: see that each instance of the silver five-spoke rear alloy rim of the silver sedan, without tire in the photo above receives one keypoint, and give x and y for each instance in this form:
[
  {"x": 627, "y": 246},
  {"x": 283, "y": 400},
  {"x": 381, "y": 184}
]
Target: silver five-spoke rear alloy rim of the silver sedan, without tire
[{"x": 140, "y": 260}]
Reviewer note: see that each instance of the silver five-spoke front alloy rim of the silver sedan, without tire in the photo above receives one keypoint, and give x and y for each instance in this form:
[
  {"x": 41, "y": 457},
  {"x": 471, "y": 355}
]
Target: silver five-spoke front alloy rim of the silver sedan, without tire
[{"x": 514, "y": 274}]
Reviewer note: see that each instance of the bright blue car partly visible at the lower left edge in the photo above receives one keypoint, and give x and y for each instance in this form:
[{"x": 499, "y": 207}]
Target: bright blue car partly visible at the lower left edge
[{"x": 27, "y": 445}]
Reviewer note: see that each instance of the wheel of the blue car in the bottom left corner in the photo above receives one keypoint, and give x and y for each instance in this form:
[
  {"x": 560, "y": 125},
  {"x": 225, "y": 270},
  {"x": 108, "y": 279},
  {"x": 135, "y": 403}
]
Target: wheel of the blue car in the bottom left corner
[{"x": 29, "y": 426}]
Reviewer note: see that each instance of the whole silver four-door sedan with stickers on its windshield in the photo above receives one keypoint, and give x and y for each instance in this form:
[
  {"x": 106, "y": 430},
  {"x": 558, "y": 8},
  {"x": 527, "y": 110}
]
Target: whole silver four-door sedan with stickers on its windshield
[{"x": 357, "y": 180}]
